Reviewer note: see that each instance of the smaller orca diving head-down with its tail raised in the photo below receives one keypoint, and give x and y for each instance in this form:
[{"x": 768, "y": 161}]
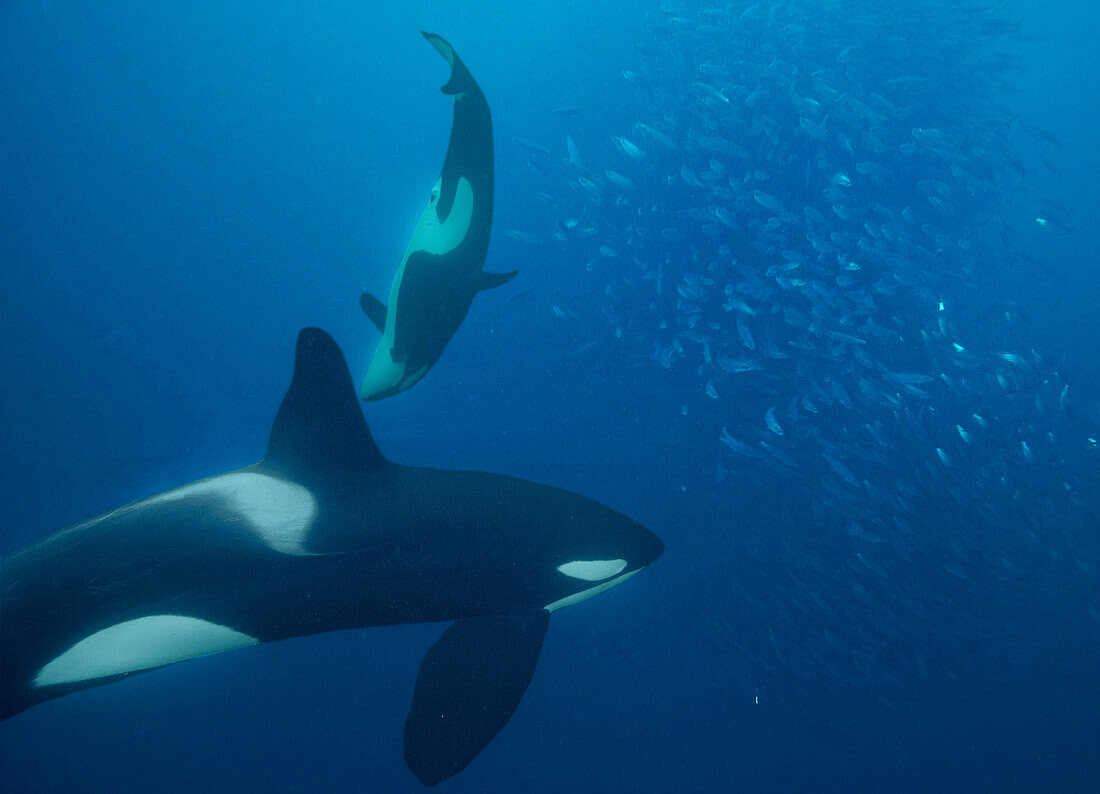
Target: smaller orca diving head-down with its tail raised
[{"x": 442, "y": 271}]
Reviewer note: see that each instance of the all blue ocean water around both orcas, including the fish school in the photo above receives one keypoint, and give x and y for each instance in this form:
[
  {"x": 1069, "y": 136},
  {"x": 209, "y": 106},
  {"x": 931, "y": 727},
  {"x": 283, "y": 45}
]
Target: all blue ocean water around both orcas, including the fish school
[{"x": 897, "y": 201}]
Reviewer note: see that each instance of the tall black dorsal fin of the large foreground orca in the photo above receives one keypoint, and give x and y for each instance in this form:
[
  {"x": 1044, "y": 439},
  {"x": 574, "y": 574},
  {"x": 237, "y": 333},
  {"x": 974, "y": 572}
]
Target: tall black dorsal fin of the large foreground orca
[{"x": 320, "y": 426}]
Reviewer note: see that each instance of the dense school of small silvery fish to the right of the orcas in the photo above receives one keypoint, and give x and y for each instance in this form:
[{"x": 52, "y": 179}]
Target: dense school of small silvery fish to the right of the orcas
[{"x": 795, "y": 229}]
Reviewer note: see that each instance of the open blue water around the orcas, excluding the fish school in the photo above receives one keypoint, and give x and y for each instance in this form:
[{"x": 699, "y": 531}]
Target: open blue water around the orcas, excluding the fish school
[{"x": 182, "y": 190}]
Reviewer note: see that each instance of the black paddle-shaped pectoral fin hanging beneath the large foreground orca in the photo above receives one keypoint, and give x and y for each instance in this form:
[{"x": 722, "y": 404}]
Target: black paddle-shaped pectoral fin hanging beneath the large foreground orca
[{"x": 468, "y": 689}]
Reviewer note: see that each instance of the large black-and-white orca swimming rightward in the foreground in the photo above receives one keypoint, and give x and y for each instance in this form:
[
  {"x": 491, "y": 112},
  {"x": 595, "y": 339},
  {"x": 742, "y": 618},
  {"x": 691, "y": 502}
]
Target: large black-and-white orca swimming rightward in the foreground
[{"x": 323, "y": 534}]
